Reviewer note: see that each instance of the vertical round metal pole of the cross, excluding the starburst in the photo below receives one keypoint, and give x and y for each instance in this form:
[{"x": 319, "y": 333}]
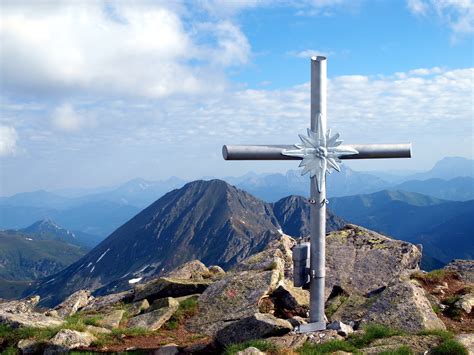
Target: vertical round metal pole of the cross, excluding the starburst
[{"x": 318, "y": 208}]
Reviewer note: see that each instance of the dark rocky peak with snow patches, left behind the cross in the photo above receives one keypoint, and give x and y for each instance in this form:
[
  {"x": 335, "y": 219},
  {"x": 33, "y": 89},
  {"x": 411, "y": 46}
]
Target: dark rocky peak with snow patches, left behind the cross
[{"x": 211, "y": 221}]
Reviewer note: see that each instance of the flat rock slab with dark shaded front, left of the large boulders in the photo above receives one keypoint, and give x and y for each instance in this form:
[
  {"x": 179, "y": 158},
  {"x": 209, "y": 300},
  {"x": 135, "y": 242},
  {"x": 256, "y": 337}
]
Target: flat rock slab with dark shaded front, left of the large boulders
[{"x": 168, "y": 287}]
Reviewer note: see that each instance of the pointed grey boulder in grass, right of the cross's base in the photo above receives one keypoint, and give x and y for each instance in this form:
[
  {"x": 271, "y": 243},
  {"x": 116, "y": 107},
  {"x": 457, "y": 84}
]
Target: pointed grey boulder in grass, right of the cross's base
[{"x": 404, "y": 306}]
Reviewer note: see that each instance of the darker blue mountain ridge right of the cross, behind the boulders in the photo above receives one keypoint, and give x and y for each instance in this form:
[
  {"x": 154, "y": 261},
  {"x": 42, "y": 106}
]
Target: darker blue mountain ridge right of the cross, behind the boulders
[{"x": 444, "y": 228}]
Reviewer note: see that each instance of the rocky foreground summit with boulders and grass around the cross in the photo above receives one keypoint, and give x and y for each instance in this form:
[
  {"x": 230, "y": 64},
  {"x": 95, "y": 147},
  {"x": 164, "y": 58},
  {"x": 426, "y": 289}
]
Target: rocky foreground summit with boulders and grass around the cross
[{"x": 377, "y": 300}]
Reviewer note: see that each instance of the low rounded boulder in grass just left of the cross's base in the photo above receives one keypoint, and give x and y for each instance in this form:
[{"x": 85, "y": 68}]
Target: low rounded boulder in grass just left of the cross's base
[{"x": 257, "y": 326}]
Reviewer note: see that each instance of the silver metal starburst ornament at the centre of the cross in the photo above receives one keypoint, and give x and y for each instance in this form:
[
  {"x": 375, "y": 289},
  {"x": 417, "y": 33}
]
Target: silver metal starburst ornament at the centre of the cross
[{"x": 320, "y": 153}]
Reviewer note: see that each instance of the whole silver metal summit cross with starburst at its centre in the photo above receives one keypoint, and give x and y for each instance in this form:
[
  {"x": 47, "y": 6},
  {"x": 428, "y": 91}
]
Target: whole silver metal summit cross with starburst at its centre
[{"x": 319, "y": 151}]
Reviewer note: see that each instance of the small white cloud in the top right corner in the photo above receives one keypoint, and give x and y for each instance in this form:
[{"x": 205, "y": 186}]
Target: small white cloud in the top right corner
[{"x": 457, "y": 14}]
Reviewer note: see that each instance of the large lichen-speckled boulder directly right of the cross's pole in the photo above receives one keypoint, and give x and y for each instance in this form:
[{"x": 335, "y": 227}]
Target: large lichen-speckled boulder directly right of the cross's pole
[{"x": 360, "y": 261}]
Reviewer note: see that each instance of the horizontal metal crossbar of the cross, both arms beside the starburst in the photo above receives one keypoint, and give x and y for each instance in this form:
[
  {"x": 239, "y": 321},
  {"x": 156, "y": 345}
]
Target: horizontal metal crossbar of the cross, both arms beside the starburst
[{"x": 274, "y": 152}]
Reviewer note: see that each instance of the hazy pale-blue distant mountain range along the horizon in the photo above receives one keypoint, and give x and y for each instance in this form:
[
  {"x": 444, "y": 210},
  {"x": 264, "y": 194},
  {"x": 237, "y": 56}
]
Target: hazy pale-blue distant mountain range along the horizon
[{"x": 98, "y": 212}]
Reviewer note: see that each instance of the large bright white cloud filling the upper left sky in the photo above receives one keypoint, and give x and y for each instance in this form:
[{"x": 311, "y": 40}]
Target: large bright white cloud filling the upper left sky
[{"x": 125, "y": 50}]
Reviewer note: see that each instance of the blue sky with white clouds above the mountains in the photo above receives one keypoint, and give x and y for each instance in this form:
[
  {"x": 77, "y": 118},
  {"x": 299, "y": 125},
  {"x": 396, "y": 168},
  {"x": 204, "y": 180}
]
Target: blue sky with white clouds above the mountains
[{"x": 95, "y": 93}]
